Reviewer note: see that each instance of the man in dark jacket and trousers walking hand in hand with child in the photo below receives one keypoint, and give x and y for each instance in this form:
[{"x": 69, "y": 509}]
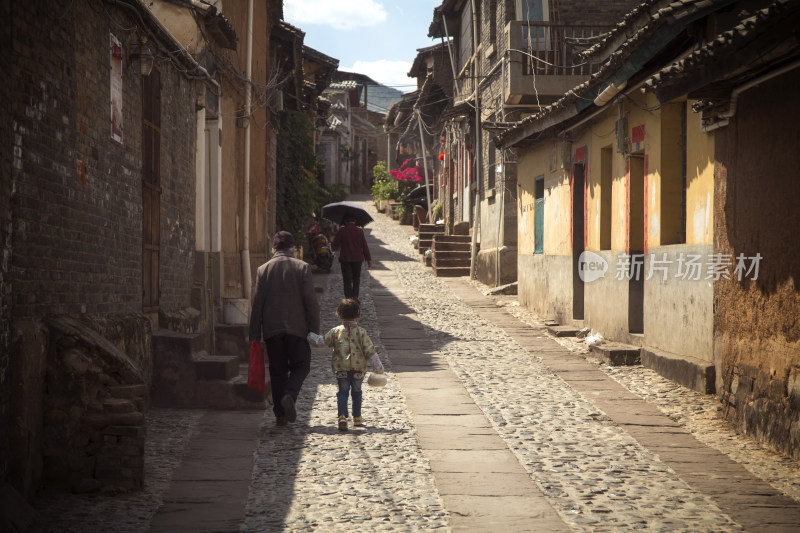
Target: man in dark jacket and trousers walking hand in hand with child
[{"x": 285, "y": 310}]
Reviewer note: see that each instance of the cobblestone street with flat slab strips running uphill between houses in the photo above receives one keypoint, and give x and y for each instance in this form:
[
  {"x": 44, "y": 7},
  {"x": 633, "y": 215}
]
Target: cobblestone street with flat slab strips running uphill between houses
[{"x": 487, "y": 424}]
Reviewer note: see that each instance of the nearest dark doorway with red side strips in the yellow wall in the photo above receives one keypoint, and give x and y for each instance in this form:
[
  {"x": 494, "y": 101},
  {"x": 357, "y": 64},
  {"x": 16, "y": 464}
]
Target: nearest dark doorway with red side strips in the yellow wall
[{"x": 636, "y": 243}]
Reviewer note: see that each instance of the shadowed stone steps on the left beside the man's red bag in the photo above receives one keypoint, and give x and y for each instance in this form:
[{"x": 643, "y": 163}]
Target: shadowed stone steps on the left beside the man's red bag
[{"x": 186, "y": 375}]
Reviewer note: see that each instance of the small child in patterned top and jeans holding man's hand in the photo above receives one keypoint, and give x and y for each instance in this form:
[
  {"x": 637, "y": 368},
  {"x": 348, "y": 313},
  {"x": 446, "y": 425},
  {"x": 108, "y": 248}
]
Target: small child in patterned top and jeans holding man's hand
[{"x": 352, "y": 349}]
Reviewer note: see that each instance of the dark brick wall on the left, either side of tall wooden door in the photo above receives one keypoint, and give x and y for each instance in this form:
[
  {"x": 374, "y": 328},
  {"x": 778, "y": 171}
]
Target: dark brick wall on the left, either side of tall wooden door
[{"x": 78, "y": 202}]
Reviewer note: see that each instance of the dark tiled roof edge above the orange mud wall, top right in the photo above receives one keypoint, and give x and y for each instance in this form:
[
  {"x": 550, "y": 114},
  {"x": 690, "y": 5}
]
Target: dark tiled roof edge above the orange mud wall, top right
[{"x": 738, "y": 35}]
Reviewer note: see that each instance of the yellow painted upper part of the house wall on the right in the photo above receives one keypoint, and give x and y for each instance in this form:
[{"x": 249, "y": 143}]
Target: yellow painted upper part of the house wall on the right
[{"x": 661, "y": 146}]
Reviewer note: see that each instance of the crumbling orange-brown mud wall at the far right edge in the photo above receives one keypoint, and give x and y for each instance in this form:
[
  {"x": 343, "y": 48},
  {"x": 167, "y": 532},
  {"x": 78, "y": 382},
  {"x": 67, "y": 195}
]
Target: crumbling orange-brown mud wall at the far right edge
[{"x": 756, "y": 328}]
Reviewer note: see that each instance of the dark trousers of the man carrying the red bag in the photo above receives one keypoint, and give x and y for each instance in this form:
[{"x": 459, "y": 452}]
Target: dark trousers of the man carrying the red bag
[{"x": 289, "y": 364}]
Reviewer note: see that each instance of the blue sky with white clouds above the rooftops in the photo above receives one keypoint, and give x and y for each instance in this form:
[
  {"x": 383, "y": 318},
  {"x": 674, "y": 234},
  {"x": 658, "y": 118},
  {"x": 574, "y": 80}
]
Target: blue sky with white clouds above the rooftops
[{"x": 378, "y": 38}]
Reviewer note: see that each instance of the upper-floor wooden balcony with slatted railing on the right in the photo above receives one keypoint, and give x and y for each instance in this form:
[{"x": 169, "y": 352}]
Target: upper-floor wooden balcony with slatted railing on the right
[{"x": 541, "y": 66}]
